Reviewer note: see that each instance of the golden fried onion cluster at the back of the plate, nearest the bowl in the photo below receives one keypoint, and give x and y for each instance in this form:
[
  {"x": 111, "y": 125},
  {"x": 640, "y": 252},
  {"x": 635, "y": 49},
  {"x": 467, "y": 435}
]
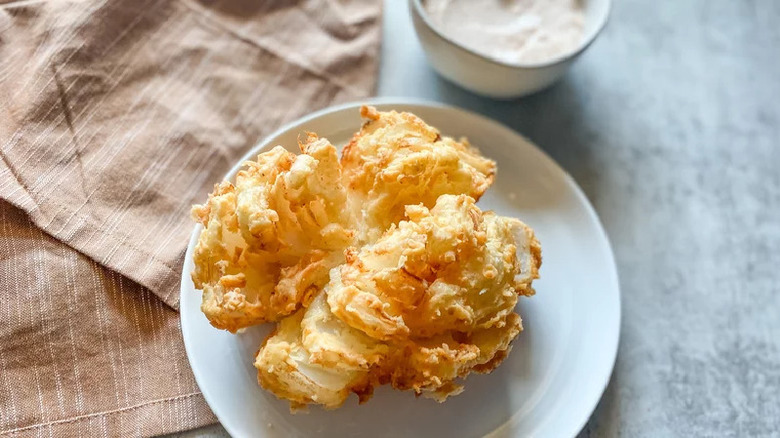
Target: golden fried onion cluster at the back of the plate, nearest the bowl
[{"x": 396, "y": 160}]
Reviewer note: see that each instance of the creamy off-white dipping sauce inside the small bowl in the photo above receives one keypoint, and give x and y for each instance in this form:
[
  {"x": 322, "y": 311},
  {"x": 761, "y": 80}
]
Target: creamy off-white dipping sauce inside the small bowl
[{"x": 513, "y": 31}]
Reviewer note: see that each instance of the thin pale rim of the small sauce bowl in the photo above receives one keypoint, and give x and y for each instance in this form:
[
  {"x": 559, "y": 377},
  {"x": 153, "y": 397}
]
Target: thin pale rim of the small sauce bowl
[{"x": 418, "y": 9}]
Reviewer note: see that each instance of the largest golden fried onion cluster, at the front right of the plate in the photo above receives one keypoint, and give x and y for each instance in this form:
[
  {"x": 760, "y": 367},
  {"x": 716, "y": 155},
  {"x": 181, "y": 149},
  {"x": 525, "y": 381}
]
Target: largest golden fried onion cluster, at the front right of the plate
[{"x": 431, "y": 301}]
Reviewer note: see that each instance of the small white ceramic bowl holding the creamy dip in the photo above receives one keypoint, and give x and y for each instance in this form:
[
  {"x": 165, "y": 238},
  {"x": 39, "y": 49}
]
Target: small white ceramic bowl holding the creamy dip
[{"x": 495, "y": 78}]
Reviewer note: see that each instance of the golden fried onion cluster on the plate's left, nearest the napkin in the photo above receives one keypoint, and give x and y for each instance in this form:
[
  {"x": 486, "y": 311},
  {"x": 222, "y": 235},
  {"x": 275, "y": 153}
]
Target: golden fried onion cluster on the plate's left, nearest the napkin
[{"x": 269, "y": 240}]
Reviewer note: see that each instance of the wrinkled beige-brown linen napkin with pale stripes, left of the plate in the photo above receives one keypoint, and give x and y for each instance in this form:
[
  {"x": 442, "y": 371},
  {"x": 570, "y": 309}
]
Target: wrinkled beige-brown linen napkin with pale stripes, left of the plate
[{"x": 115, "y": 116}]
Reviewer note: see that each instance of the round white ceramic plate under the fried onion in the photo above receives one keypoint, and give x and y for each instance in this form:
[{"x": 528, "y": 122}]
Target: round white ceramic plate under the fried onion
[{"x": 559, "y": 365}]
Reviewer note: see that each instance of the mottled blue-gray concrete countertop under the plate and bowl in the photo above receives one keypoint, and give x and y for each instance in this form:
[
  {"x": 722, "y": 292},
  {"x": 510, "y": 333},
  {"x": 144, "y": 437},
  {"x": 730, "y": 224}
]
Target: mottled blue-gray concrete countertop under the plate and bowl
[{"x": 670, "y": 122}]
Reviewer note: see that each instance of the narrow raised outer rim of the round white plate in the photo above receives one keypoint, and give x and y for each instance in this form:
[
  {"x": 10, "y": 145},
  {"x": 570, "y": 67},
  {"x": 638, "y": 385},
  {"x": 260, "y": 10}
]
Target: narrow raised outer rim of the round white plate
[{"x": 590, "y": 402}]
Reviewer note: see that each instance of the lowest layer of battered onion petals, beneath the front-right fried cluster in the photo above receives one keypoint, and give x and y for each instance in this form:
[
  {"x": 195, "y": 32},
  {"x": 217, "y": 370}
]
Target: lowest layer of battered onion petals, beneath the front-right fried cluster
[{"x": 315, "y": 358}]
